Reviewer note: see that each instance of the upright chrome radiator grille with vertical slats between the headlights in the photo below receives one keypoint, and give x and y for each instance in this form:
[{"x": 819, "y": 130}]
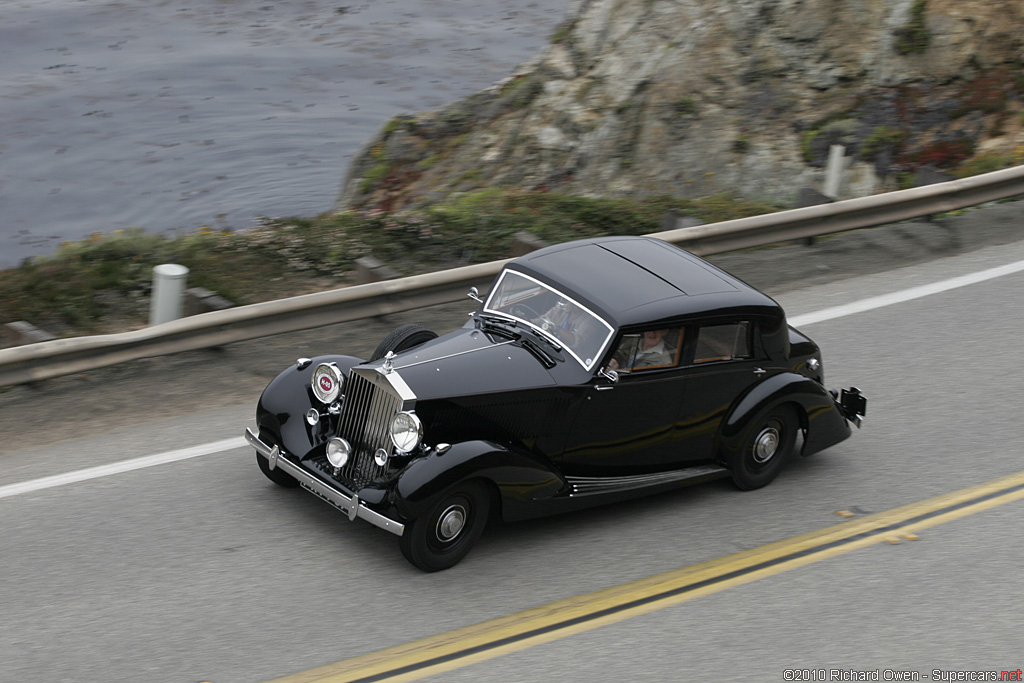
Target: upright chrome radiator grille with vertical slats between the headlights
[{"x": 371, "y": 403}]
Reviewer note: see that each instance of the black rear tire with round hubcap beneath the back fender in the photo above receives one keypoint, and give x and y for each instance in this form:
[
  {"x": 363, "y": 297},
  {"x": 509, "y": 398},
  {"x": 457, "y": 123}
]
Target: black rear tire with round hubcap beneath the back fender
[{"x": 767, "y": 445}]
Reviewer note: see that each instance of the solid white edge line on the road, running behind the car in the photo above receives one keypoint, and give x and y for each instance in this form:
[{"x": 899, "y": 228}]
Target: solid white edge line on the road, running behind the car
[{"x": 238, "y": 443}]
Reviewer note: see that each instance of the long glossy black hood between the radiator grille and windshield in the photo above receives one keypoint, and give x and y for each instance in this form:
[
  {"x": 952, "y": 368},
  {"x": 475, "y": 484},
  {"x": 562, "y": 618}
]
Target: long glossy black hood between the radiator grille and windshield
[{"x": 471, "y": 362}]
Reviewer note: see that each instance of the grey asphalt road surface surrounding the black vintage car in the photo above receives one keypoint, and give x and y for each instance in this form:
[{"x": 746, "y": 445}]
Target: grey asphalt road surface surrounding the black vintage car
[{"x": 202, "y": 571}]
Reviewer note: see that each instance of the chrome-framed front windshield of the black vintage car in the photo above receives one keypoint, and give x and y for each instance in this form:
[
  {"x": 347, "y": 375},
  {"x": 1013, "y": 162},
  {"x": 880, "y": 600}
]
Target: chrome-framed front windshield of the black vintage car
[{"x": 584, "y": 334}]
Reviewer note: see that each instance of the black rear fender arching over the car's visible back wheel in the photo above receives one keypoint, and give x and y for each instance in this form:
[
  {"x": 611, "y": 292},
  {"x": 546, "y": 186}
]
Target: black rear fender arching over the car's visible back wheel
[{"x": 823, "y": 423}]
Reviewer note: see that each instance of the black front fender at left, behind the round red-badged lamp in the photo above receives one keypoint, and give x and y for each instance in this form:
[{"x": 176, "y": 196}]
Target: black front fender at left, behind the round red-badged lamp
[{"x": 282, "y": 409}]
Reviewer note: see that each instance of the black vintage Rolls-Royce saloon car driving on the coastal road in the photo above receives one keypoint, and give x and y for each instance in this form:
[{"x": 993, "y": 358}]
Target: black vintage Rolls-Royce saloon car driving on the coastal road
[{"x": 594, "y": 371}]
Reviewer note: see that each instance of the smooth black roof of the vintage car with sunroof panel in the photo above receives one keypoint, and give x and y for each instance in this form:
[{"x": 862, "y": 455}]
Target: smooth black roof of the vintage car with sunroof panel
[{"x": 635, "y": 280}]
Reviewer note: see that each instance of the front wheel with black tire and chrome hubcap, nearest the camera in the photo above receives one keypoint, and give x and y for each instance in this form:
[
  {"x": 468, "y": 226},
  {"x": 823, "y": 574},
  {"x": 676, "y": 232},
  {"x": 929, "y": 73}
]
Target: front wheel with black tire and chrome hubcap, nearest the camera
[{"x": 442, "y": 538}]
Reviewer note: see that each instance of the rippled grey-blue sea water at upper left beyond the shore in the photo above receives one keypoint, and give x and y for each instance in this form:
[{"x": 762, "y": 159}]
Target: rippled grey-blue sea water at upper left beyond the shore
[{"x": 172, "y": 115}]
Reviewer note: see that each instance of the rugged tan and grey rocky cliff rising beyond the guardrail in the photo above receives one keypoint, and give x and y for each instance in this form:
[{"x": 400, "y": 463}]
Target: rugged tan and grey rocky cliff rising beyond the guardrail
[{"x": 694, "y": 98}]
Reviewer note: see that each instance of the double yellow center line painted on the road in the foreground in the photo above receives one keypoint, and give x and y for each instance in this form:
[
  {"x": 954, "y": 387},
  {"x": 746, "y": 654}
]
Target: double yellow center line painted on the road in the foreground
[{"x": 566, "y": 618}]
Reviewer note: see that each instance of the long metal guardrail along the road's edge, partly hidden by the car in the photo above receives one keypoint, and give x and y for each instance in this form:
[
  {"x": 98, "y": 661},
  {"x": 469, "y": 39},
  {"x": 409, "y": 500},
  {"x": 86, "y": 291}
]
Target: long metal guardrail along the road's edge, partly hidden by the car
[{"x": 52, "y": 359}]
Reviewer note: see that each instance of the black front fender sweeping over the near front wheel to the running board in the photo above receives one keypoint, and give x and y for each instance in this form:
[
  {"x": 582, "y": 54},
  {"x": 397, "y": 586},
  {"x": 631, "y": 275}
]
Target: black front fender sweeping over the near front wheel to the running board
[{"x": 520, "y": 478}]
